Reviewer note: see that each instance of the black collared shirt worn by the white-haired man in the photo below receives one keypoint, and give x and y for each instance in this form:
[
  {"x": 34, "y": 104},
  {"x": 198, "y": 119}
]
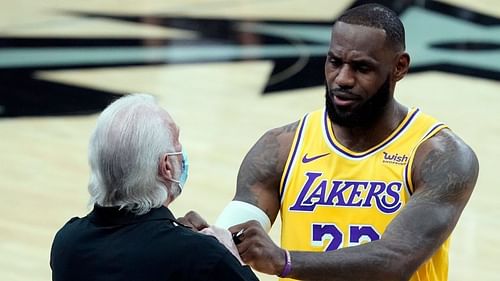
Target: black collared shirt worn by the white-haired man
[{"x": 111, "y": 244}]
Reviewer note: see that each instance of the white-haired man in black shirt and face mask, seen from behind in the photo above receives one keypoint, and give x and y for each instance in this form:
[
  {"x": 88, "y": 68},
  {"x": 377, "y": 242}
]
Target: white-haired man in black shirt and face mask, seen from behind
[{"x": 138, "y": 167}]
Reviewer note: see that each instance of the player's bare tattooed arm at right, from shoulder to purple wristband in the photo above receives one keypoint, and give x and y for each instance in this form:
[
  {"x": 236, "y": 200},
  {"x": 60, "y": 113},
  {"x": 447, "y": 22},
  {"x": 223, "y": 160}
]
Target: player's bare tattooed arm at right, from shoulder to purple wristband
[{"x": 444, "y": 174}]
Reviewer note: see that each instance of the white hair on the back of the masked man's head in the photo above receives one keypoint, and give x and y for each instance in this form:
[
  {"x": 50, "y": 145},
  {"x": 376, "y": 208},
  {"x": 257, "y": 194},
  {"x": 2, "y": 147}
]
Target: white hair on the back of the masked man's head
[{"x": 131, "y": 135}]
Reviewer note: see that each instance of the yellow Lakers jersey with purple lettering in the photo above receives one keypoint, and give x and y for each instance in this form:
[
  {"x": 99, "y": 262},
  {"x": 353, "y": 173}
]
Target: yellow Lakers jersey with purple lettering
[{"x": 332, "y": 197}]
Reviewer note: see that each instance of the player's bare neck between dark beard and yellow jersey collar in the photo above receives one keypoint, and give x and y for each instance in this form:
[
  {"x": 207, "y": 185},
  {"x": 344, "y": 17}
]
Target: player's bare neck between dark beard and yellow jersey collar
[{"x": 361, "y": 139}]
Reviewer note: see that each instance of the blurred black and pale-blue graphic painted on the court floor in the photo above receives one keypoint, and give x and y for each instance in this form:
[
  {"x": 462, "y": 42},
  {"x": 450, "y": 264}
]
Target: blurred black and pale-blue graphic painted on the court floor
[{"x": 297, "y": 55}]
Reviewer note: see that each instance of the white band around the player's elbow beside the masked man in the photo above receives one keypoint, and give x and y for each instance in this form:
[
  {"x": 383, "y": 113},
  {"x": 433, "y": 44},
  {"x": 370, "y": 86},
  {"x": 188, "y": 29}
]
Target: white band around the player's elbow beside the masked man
[{"x": 237, "y": 212}]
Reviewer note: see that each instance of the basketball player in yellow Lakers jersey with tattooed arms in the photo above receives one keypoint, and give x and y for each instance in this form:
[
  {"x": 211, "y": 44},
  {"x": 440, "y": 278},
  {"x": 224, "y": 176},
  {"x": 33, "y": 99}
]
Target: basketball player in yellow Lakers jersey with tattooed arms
[{"x": 367, "y": 188}]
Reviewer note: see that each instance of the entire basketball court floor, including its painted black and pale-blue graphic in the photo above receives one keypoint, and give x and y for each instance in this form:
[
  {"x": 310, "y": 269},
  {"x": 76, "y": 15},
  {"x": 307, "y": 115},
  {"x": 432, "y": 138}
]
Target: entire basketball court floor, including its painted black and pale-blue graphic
[{"x": 227, "y": 70}]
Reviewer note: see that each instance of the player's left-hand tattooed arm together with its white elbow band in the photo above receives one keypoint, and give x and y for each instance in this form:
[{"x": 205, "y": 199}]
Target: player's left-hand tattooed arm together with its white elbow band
[{"x": 257, "y": 190}]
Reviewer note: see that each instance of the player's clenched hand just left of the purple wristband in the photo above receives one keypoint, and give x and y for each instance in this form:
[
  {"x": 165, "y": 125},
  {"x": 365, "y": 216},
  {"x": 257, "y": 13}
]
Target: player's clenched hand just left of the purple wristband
[{"x": 257, "y": 249}]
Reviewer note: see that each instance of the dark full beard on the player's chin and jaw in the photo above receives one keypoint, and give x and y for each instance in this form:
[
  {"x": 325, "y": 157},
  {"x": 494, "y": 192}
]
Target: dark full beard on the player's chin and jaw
[{"x": 363, "y": 115}]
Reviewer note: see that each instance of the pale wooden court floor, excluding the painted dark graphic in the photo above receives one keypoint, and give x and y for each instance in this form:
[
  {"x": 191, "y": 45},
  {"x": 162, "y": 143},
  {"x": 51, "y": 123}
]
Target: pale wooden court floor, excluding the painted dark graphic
[{"x": 221, "y": 111}]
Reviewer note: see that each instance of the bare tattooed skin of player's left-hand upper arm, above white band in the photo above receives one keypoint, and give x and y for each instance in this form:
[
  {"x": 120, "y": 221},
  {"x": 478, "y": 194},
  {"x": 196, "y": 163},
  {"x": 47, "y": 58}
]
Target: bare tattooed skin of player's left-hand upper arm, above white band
[{"x": 260, "y": 172}]
